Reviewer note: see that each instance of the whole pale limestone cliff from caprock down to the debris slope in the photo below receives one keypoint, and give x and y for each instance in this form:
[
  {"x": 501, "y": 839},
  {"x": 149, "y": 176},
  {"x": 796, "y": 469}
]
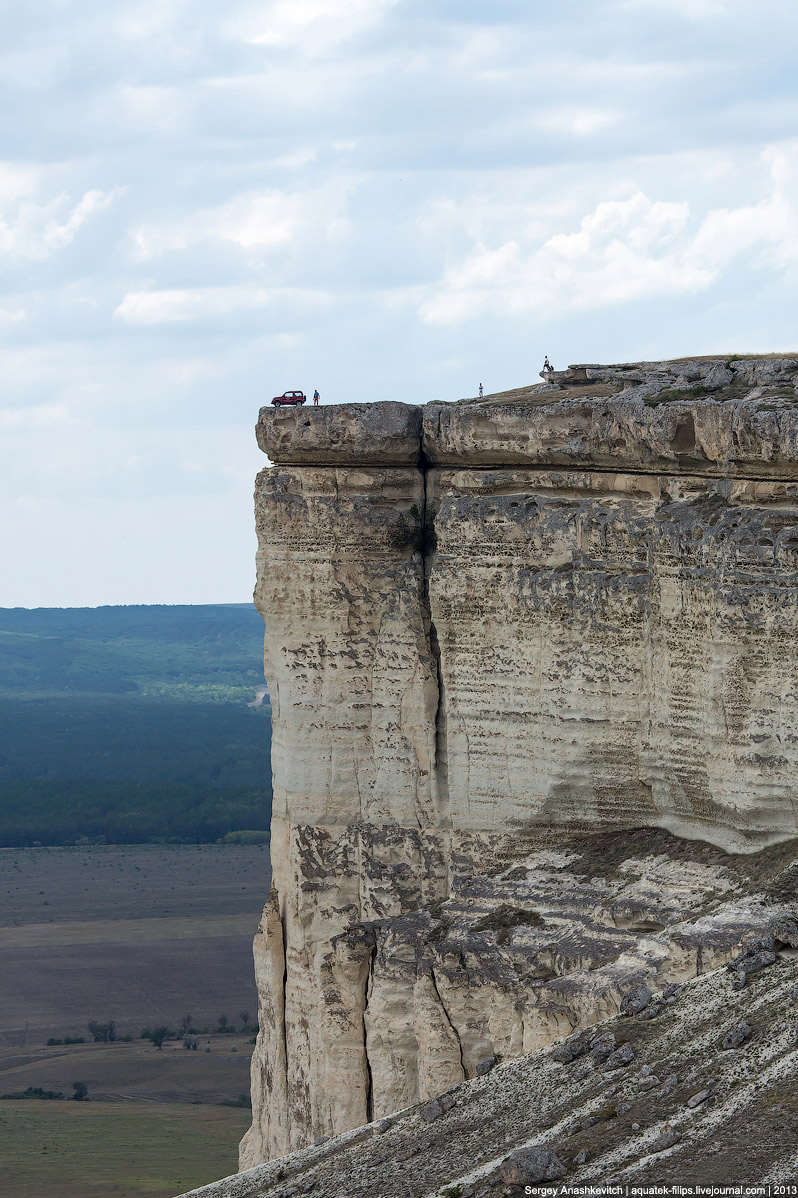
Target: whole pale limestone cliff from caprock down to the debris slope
[{"x": 583, "y": 619}]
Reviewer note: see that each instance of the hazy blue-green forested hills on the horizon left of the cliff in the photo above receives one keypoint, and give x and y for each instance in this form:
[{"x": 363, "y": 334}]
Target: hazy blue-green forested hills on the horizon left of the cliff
[{"x": 128, "y": 725}]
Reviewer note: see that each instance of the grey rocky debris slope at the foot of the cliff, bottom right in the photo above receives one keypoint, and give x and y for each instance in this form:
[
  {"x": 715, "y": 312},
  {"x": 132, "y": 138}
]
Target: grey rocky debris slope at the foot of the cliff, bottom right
[{"x": 694, "y": 1086}]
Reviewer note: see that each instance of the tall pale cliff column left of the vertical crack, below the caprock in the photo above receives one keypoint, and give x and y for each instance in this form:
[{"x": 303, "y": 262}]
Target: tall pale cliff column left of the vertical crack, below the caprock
[{"x": 359, "y": 833}]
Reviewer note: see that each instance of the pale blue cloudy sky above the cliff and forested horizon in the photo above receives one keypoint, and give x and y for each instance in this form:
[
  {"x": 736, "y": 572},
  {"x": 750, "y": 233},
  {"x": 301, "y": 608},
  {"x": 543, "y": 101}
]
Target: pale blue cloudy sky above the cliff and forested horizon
[{"x": 205, "y": 205}]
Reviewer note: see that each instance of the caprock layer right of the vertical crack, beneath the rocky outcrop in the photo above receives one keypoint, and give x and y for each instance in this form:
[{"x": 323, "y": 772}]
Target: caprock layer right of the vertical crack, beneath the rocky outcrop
[{"x": 729, "y": 421}]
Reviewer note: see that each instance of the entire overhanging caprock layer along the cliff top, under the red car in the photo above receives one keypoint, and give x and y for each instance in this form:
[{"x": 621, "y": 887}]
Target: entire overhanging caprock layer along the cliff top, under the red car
[{"x": 733, "y": 418}]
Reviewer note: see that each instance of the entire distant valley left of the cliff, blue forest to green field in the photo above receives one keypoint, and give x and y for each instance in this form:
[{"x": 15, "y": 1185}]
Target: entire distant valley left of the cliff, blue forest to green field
[{"x": 135, "y": 807}]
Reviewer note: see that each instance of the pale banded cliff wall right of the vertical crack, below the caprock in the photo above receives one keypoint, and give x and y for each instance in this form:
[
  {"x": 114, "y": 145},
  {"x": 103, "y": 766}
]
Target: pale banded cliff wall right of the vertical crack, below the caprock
[{"x": 618, "y": 644}]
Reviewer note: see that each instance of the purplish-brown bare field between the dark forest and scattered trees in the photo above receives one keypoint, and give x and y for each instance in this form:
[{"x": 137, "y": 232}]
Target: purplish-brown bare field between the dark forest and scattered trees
[{"x": 142, "y": 935}]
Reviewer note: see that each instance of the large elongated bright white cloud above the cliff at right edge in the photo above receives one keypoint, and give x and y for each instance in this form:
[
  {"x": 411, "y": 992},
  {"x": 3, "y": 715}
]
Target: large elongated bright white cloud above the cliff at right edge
[{"x": 624, "y": 251}]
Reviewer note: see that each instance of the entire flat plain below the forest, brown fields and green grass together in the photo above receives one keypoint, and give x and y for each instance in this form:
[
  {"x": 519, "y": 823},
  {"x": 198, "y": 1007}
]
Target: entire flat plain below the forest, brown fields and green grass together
[{"x": 143, "y": 936}]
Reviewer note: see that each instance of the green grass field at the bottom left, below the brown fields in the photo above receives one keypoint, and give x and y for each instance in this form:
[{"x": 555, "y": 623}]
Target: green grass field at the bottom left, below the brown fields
[{"x": 132, "y": 1149}]
